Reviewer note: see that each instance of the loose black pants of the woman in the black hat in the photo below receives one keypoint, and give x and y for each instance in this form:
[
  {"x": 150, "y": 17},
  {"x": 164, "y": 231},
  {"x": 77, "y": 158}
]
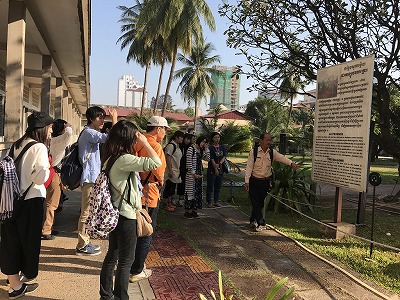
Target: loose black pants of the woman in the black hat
[{"x": 21, "y": 239}]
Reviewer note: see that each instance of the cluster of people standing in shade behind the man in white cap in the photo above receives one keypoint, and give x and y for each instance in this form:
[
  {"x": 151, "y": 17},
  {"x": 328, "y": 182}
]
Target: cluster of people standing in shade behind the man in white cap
[{"x": 184, "y": 173}]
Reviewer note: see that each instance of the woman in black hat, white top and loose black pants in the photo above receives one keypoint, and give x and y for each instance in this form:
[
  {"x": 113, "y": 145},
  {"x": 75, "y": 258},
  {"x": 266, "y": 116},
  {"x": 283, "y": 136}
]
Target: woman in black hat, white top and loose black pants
[{"x": 20, "y": 238}]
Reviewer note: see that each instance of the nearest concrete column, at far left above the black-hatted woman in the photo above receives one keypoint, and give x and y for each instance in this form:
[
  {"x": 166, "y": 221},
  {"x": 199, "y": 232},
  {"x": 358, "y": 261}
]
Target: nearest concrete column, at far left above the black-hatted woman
[{"x": 15, "y": 70}]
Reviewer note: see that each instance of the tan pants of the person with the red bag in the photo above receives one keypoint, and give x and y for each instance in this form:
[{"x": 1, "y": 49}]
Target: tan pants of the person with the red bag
[{"x": 53, "y": 193}]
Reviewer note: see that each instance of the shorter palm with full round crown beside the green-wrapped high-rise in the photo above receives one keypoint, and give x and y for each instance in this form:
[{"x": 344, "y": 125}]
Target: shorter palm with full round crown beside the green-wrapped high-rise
[{"x": 196, "y": 82}]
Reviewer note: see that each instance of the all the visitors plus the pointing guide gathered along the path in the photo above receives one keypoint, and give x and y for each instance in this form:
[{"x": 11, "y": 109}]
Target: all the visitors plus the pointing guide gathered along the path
[{"x": 138, "y": 167}]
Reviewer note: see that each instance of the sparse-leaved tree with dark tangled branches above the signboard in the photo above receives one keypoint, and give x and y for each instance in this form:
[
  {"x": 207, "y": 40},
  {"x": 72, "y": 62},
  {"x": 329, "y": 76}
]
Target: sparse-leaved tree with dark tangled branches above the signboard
[{"x": 310, "y": 35}]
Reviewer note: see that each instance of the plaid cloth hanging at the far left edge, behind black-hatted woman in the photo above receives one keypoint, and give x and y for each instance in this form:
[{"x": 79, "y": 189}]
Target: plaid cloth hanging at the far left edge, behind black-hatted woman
[{"x": 10, "y": 187}]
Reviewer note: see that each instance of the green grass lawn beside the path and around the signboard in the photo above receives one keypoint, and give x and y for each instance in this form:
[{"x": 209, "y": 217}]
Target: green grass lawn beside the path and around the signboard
[{"x": 384, "y": 266}]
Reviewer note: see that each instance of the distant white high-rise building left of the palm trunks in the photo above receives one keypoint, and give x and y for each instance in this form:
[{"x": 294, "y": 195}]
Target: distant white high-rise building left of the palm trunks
[{"x": 130, "y": 92}]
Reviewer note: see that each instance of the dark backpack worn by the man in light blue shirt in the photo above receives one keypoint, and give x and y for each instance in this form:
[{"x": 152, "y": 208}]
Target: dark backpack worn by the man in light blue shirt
[{"x": 71, "y": 169}]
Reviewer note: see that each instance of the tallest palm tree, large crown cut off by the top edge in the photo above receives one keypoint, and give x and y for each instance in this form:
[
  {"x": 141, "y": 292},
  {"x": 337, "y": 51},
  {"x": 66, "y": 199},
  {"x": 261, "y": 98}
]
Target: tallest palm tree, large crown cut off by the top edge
[{"x": 178, "y": 22}]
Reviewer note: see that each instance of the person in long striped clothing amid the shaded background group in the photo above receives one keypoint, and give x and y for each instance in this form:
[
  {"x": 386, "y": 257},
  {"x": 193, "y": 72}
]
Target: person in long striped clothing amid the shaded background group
[{"x": 194, "y": 176}]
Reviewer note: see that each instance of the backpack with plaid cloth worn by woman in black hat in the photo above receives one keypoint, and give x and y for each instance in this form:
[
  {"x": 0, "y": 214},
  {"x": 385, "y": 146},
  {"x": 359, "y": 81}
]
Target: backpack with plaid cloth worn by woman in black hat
[{"x": 11, "y": 197}]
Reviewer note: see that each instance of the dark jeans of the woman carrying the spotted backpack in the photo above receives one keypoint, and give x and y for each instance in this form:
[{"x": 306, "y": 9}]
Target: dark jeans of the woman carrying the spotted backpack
[{"x": 121, "y": 248}]
